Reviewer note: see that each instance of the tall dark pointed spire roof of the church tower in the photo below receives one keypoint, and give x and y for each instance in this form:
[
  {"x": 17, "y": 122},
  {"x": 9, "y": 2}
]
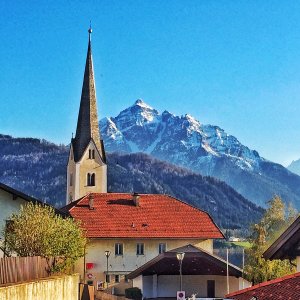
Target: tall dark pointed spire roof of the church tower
[{"x": 87, "y": 124}]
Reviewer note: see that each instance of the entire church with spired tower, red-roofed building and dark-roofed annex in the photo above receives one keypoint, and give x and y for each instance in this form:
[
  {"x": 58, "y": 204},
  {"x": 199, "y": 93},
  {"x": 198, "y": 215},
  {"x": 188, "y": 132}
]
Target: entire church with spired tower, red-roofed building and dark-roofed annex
[{"x": 134, "y": 238}]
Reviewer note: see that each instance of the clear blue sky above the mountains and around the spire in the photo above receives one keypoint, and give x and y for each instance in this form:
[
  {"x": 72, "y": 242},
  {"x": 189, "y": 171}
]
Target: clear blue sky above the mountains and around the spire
[{"x": 235, "y": 64}]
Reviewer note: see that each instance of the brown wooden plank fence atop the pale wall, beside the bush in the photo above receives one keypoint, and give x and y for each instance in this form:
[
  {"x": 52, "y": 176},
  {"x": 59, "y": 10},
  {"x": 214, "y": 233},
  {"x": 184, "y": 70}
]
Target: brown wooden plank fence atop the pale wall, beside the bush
[{"x": 20, "y": 269}]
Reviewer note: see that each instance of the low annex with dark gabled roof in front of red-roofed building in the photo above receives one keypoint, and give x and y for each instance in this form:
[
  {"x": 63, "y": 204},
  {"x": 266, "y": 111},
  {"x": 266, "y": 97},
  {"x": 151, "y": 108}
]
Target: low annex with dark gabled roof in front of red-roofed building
[{"x": 203, "y": 274}]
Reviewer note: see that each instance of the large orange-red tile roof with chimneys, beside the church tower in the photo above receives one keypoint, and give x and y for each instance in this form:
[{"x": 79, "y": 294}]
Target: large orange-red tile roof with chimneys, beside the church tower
[{"x": 156, "y": 216}]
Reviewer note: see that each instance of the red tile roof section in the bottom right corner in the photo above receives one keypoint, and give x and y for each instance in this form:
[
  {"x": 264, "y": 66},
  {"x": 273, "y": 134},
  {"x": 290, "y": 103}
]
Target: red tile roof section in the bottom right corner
[{"x": 284, "y": 288}]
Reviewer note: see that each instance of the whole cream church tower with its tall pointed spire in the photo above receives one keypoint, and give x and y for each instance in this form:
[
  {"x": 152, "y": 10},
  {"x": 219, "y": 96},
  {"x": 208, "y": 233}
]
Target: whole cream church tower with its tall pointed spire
[{"x": 87, "y": 168}]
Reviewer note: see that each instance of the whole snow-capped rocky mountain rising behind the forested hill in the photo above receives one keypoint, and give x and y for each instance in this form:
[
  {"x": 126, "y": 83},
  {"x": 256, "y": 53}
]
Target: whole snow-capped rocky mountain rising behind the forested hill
[{"x": 206, "y": 149}]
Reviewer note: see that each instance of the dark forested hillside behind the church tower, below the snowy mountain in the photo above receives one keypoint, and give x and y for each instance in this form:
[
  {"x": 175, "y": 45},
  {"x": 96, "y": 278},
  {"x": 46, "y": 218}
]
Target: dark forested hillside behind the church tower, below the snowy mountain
[{"x": 38, "y": 167}]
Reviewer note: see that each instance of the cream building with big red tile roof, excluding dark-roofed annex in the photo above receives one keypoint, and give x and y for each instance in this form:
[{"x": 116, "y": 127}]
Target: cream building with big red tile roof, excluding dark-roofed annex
[{"x": 134, "y": 229}]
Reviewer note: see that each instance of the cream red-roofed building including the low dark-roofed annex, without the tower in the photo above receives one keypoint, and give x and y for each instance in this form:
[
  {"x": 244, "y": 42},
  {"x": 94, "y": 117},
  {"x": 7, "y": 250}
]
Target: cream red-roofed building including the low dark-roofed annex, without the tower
[{"x": 136, "y": 231}]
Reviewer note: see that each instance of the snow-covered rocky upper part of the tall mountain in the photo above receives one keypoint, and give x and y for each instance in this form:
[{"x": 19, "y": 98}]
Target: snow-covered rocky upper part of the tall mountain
[{"x": 140, "y": 128}]
